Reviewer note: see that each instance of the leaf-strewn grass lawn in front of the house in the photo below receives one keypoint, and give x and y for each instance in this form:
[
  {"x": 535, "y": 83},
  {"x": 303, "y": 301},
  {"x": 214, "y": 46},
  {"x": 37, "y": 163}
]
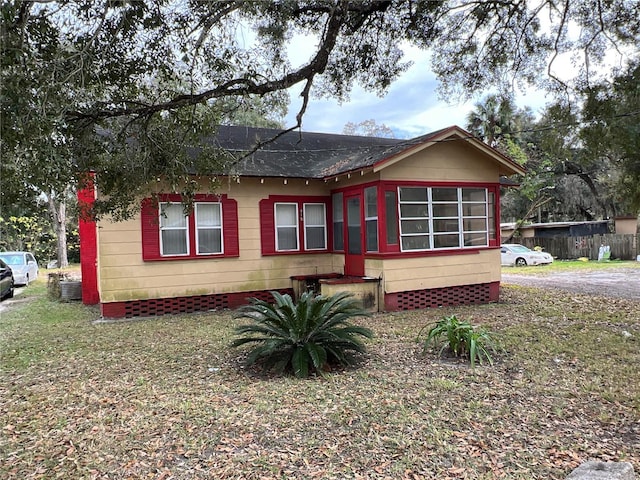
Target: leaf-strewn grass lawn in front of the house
[{"x": 166, "y": 398}]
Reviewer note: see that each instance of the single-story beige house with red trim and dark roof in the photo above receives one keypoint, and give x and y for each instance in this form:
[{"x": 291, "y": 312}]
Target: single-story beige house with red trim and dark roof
[{"x": 403, "y": 224}]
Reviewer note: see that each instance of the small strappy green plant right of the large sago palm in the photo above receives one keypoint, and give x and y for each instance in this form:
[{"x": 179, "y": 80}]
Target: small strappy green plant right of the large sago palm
[{"x": 461, "y": 339}]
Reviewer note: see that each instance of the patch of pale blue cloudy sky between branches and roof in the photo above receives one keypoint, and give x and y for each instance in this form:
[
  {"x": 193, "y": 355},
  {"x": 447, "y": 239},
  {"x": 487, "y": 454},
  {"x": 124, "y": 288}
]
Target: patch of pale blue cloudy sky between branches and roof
[{"x": 410, "y": 108}]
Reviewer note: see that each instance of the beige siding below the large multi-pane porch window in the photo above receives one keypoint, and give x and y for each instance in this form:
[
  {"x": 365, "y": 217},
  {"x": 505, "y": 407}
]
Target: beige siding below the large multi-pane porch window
[{"x": 441, "y": 271}]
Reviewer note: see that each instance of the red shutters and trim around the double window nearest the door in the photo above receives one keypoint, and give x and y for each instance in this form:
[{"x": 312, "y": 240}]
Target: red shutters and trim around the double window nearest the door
[{"x": 268, "y": 227}]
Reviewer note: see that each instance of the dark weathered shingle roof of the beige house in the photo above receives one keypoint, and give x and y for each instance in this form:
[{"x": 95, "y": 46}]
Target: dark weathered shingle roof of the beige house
[{"x": 307, "y": 154}]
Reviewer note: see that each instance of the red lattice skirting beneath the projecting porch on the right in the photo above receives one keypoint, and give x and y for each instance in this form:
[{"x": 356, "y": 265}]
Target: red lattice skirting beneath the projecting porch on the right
[{"x": 443, "y": 297}]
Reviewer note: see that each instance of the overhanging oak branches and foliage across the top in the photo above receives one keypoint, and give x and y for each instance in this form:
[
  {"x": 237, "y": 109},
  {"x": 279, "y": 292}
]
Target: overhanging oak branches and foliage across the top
[{"x": 126, "y": 89}]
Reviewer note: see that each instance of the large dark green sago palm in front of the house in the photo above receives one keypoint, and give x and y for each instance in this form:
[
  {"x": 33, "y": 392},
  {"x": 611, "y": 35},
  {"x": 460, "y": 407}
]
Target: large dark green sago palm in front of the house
[{"x": 308, "y": 336}]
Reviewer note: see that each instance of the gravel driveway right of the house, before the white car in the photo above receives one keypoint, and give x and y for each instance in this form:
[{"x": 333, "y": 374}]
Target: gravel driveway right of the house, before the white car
[{"x": 615, "y": 282}]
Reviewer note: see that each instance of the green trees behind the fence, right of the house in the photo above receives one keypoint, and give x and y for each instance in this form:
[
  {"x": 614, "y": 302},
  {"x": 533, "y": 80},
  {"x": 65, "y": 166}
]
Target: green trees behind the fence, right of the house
[{"x": 582, "y": 159}]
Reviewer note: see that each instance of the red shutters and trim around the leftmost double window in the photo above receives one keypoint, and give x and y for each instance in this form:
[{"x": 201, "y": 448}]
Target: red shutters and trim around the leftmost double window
[{"x": 151, "y": 228}]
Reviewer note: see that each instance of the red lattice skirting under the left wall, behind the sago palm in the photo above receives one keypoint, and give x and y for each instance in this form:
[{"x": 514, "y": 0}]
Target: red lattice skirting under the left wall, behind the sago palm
[{"x": 199, "y": 303}]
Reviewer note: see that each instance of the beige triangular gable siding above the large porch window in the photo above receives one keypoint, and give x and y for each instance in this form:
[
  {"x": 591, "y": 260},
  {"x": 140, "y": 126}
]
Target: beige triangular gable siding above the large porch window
[{"x": 445, "y": 162}]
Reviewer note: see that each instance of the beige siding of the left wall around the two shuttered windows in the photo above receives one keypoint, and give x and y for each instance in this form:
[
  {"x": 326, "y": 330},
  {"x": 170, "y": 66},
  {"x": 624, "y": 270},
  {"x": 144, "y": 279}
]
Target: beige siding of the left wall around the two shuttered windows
[{"x": 124, "y": 275}]
